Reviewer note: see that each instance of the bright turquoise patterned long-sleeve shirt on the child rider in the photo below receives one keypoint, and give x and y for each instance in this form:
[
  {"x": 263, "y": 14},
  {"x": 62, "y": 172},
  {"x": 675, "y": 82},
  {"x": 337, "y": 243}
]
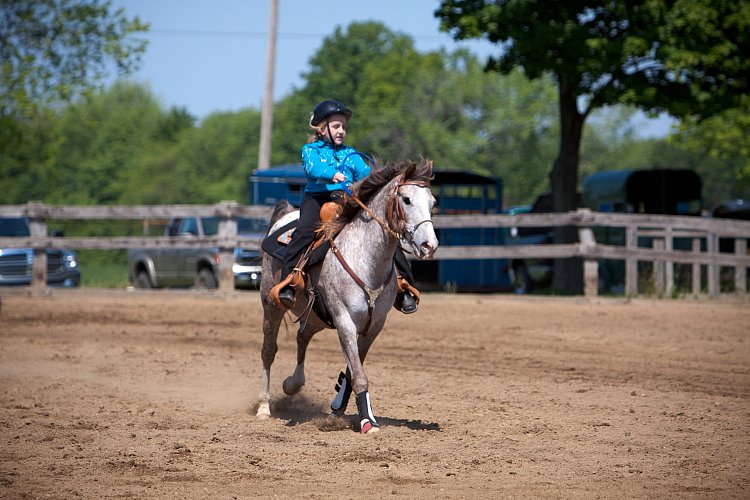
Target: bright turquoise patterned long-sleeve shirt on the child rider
[{"x": 321, "y": 160}]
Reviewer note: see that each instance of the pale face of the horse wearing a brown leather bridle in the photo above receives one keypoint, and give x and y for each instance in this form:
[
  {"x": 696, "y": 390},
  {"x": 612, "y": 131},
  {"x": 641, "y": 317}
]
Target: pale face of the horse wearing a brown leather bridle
[{"x": 417, "y": 203}]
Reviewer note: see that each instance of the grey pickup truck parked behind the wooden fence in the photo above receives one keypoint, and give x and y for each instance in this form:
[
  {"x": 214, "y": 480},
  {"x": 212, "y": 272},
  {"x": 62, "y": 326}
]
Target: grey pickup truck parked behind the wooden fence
[{"x": 195, "y": 267}]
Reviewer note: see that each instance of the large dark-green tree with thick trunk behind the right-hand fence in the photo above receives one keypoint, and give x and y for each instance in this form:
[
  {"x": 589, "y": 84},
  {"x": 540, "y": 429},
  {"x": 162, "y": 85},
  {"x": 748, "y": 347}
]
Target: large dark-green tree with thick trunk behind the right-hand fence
[{"x": 686, "y": 57}]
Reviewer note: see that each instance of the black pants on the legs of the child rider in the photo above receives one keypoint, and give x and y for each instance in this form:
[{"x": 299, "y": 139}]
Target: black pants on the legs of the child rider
[{"x": 303, "y": 236}]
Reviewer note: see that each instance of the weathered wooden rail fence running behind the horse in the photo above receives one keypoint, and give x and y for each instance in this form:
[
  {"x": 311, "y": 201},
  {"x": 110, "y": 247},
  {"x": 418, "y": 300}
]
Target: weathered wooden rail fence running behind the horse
[{"x": 660, "y": 231}]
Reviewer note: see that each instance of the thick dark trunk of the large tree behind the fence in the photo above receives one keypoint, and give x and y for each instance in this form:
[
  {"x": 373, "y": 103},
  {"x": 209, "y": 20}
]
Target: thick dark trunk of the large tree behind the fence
[{"x": 568, "y": 273}]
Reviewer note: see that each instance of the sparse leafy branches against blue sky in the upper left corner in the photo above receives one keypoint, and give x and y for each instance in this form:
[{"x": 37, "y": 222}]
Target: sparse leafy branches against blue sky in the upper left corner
[{"x": 53, "y": 50}]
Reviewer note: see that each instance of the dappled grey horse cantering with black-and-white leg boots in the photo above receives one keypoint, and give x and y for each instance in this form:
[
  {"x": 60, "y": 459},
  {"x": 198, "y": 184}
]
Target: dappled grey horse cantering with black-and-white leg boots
[{"x": 356, "y": 280}]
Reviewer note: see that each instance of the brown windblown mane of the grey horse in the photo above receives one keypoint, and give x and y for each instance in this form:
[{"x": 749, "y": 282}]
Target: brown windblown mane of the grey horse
[{"x": 370, "y": 185}]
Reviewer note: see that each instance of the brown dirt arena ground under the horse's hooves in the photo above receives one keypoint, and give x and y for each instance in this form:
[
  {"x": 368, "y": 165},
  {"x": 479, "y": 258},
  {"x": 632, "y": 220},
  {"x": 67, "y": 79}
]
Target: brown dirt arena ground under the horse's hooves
[{"x": 108, "y": 394}]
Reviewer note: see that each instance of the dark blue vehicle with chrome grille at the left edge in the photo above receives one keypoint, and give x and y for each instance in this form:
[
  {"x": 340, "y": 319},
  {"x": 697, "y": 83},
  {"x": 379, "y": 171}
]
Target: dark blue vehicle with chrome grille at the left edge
[{"x": 16, "y": 263}]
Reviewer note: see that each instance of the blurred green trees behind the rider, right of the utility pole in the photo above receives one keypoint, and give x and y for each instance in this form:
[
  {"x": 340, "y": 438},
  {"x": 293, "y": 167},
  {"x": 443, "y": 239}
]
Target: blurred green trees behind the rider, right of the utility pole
[{"x": 437, "y": 104}]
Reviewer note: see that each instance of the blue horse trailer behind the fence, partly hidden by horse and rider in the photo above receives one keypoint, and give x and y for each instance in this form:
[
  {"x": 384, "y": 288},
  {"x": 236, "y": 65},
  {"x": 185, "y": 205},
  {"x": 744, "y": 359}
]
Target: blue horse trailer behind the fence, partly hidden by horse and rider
[{"x": 456, "y": 192}]
